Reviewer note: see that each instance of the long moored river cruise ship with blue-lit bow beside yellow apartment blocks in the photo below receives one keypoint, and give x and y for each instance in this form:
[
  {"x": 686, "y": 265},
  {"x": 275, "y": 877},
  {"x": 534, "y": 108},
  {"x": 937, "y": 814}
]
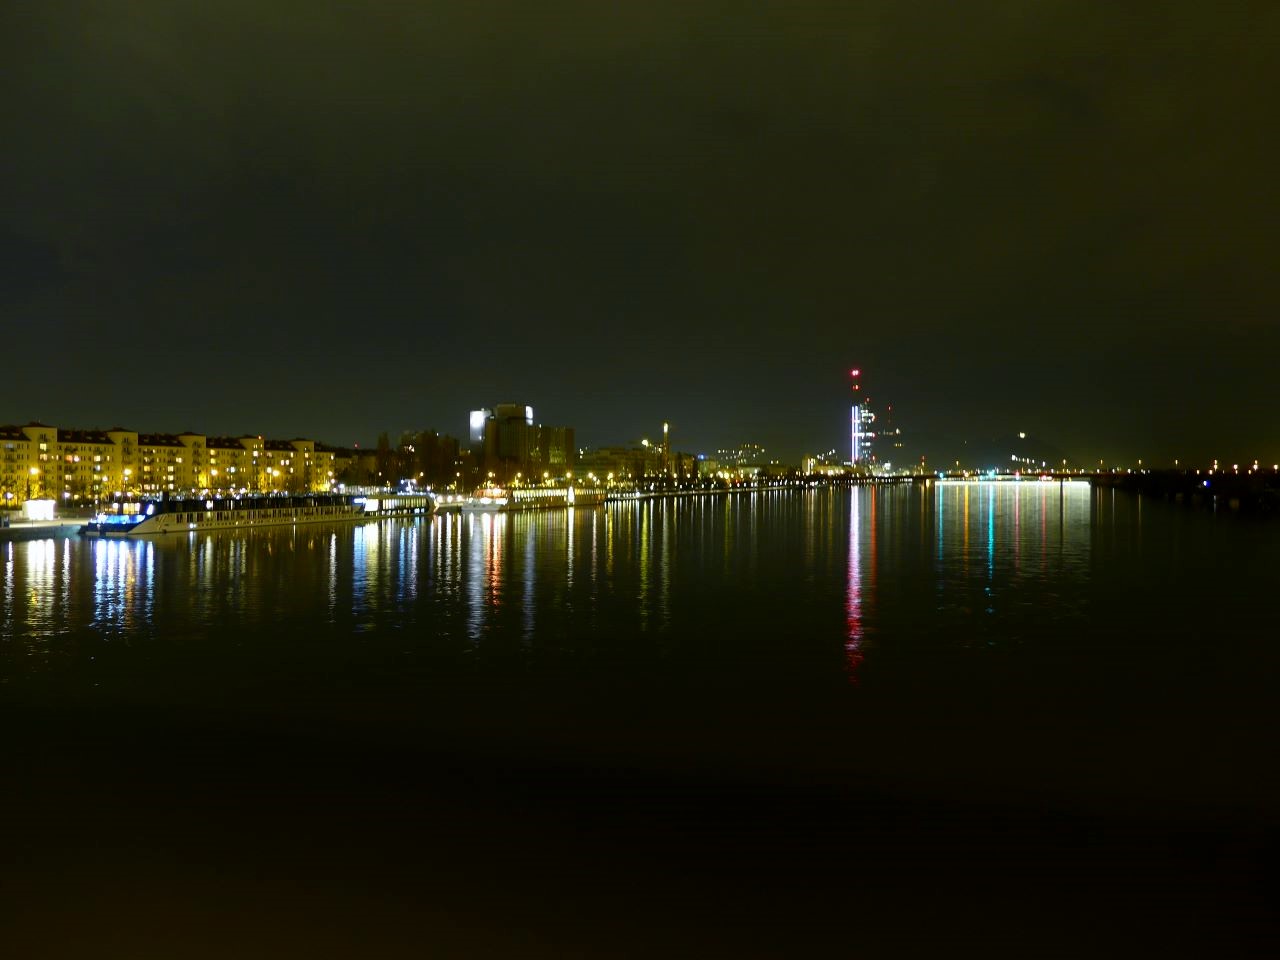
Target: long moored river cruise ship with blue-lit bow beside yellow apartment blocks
[{"x": 180, "y": 516}]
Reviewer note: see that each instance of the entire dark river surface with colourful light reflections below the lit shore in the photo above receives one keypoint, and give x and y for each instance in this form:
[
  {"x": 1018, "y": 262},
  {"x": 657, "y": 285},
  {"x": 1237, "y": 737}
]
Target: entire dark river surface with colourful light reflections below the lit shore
[{"x": 977, "y": 719}]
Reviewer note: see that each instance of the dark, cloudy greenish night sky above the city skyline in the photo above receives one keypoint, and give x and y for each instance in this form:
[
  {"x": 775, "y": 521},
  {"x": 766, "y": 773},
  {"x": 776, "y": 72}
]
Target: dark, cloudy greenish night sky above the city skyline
[{"x": 248, "y": 217}]
